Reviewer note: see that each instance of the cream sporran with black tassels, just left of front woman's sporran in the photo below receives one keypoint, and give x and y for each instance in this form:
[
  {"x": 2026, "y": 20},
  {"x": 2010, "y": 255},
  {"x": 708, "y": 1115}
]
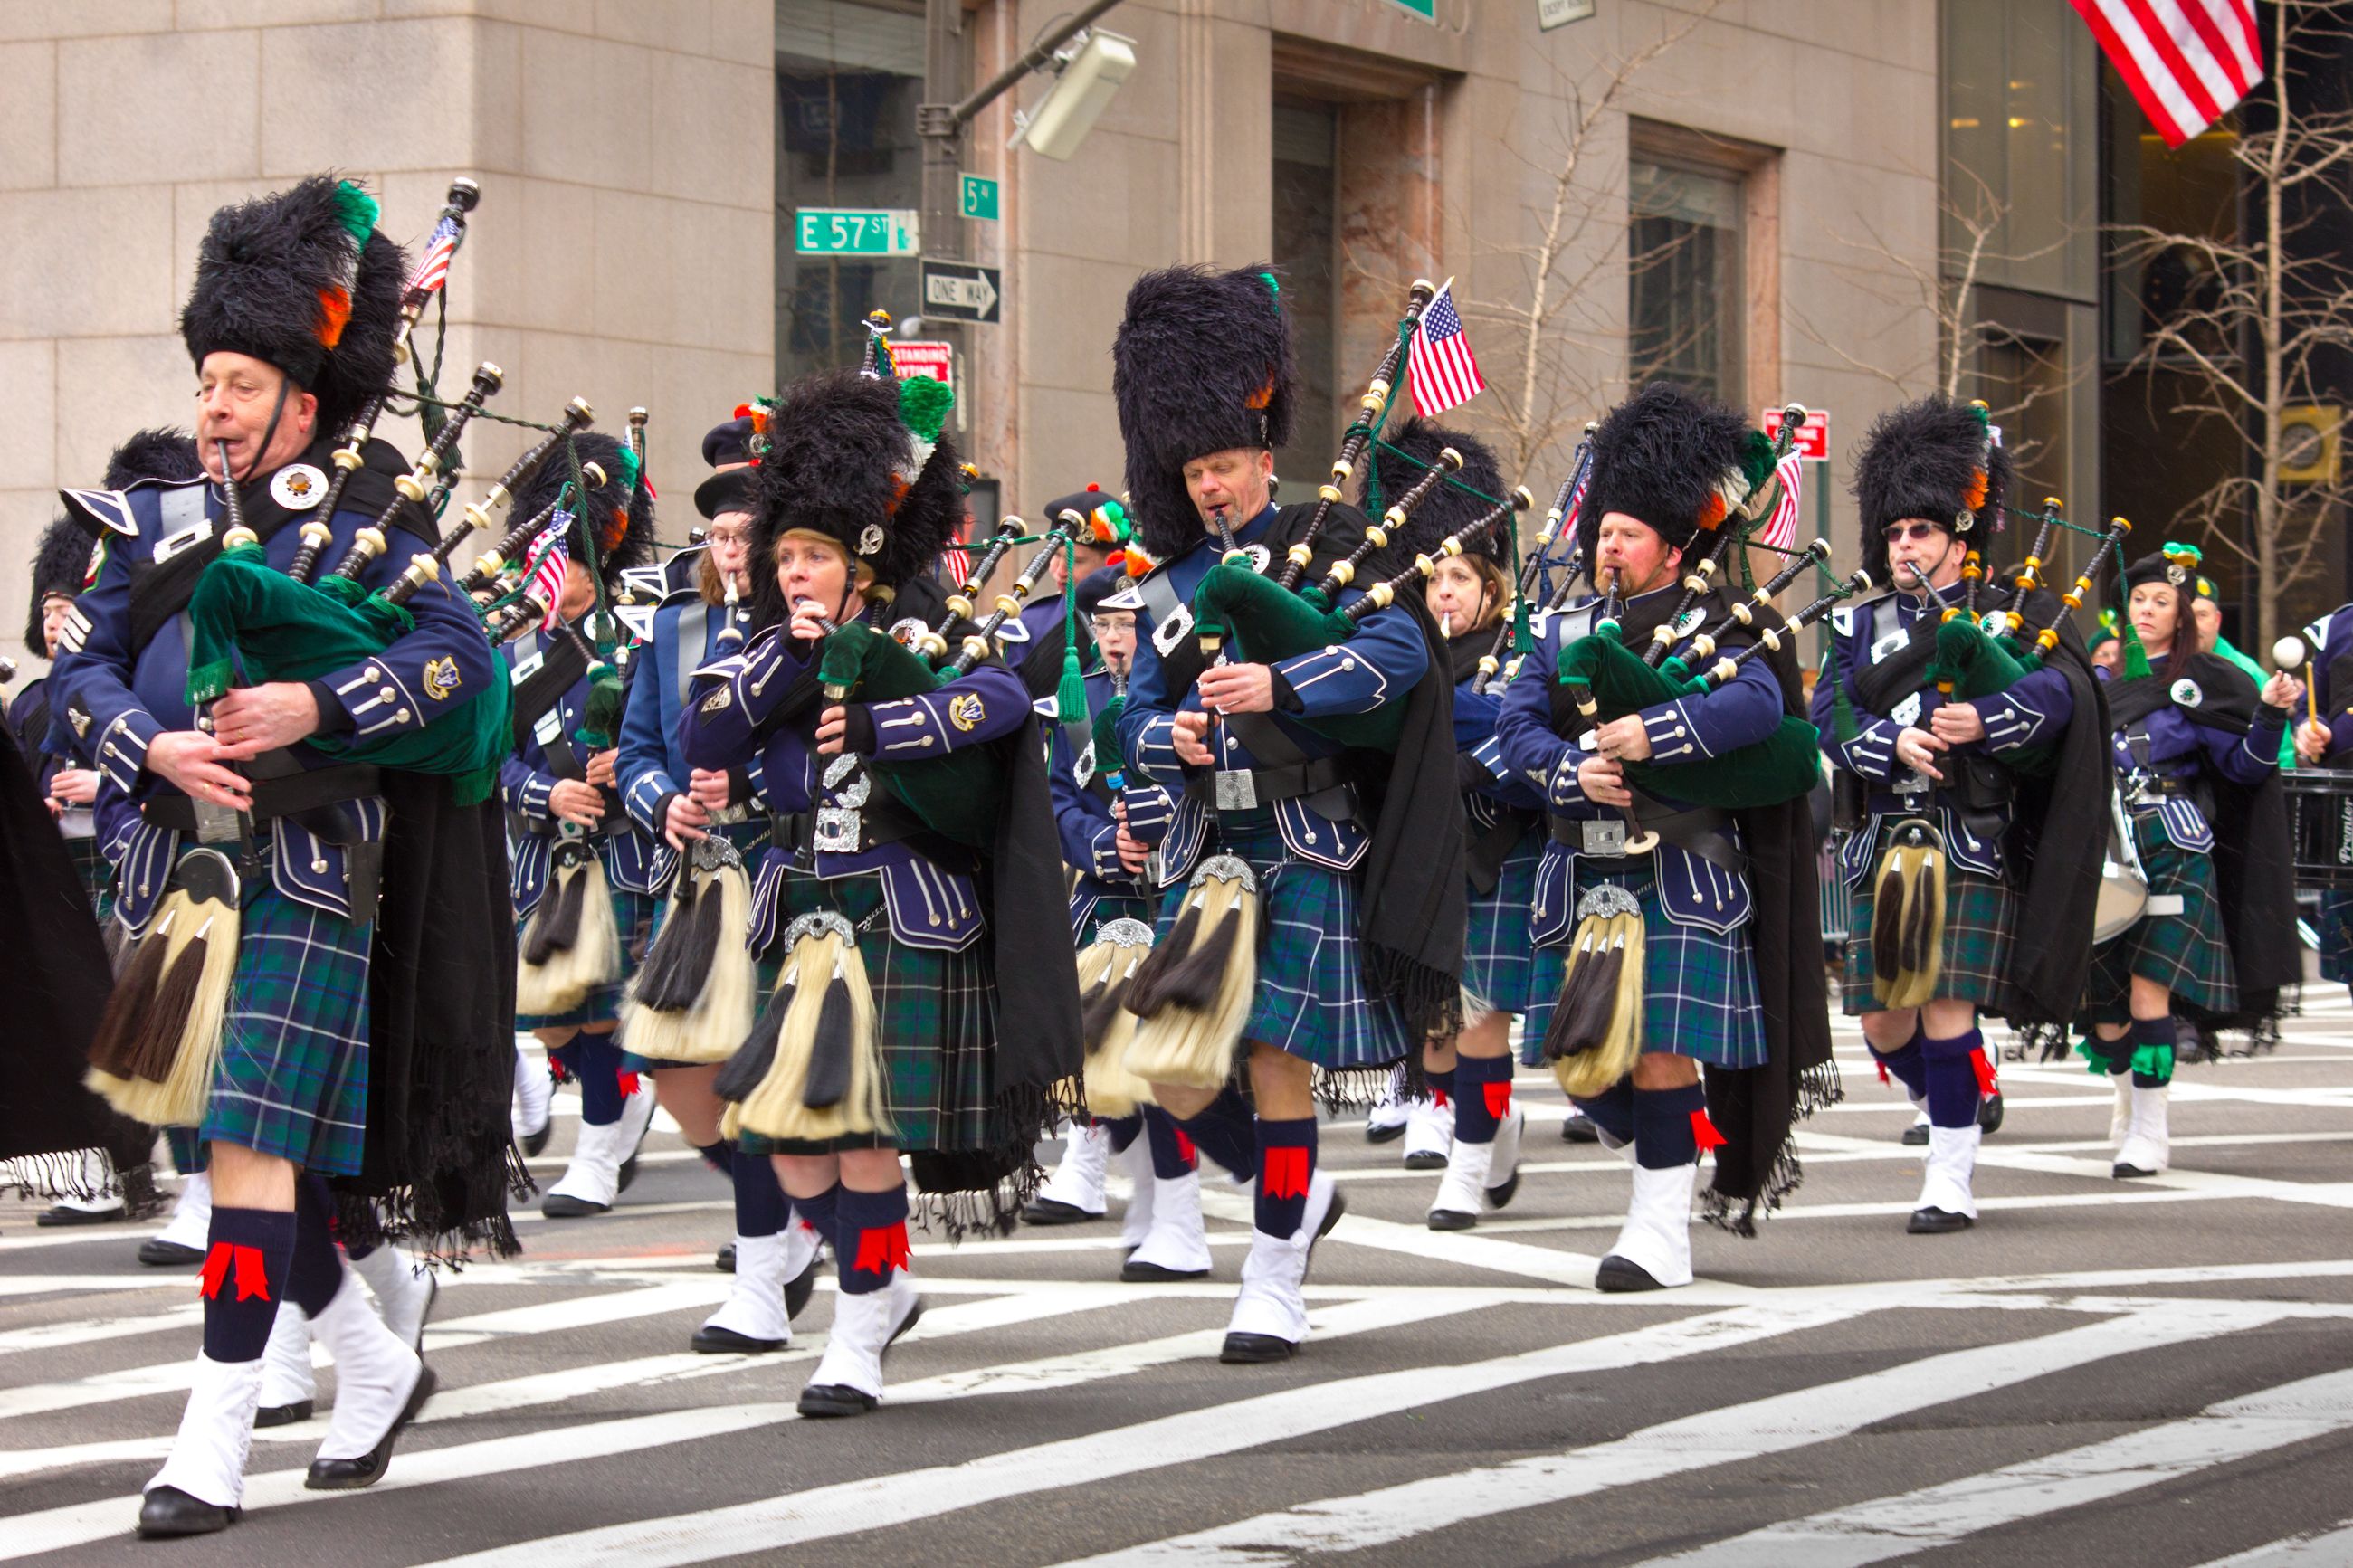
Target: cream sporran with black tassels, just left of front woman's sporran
[{"x": 693, "y": 1000}]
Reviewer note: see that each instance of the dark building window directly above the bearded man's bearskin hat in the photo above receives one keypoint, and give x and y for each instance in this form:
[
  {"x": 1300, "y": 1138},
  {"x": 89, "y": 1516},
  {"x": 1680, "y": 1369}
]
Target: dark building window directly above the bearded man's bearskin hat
[{"x": 1684, "y": 279}]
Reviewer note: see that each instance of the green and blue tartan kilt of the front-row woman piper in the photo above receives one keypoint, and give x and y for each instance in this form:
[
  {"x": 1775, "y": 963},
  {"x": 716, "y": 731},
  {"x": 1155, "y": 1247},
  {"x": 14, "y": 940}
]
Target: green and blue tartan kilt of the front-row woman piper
[{"x": 935, "y": 1014}]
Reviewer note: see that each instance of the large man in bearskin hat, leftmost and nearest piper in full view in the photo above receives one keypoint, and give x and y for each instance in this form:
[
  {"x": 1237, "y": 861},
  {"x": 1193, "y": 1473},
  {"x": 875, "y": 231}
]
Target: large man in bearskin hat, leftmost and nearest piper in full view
[{"x": 291, "y": 326}]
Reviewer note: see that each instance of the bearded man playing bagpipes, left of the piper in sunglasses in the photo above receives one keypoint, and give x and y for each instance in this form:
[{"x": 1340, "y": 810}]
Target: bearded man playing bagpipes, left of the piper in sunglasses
[{"x": 1728, "y": 977}]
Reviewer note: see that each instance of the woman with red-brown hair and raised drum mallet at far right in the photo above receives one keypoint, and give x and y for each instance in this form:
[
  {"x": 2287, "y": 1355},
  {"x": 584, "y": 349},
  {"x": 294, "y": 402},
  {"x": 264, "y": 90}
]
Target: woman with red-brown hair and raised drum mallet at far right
[{"x": 2197, "y": 753}]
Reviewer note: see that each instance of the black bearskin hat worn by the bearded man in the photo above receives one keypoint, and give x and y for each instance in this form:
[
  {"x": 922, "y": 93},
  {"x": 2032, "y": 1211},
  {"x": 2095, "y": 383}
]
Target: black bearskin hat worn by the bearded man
[{"x": 1672, "y": 460}]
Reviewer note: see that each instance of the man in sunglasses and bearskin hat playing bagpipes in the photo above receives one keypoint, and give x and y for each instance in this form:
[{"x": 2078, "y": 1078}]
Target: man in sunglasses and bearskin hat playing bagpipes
[{"x": 1933, "y": 481}]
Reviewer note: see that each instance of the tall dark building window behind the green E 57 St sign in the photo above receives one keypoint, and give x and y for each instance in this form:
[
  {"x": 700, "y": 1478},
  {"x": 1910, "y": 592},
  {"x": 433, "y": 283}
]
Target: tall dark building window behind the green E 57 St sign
[{"x": 848, "y": 81}]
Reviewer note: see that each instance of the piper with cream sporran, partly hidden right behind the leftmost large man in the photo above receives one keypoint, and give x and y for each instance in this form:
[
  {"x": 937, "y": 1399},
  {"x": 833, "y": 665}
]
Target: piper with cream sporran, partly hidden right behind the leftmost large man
[{"x": 582, "y": 871}]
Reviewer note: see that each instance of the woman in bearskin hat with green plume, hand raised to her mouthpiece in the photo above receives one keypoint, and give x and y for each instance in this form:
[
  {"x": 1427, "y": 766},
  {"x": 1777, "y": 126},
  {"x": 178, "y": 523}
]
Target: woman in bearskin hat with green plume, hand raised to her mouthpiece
[{"x": 893, "y": 949}]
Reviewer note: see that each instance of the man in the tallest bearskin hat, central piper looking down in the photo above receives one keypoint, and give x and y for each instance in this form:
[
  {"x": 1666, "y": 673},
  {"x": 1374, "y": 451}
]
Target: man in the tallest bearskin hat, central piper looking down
[{"x": 1357, "y": 958}]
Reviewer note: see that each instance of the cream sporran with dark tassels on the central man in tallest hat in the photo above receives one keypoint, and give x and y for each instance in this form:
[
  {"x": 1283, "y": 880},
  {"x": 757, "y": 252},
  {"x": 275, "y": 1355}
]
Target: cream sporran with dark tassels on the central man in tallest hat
[{"x": 1192, "y": 996}]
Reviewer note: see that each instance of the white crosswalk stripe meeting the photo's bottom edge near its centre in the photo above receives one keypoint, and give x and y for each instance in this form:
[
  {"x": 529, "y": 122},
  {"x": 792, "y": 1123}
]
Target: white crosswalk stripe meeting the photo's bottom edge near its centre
[{"x": 1695, "y": 1442}]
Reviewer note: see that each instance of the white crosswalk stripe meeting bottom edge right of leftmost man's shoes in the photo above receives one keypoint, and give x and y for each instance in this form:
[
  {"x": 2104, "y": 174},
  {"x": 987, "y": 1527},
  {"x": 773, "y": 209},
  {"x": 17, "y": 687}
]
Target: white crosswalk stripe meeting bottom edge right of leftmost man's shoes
[{"x": 869, "y": 1503}]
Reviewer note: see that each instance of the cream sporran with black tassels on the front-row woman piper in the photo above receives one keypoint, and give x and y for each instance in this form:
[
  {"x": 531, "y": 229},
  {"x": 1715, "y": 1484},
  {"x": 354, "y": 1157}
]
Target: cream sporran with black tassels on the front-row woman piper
[{"x": 825, "y": 1047}]
